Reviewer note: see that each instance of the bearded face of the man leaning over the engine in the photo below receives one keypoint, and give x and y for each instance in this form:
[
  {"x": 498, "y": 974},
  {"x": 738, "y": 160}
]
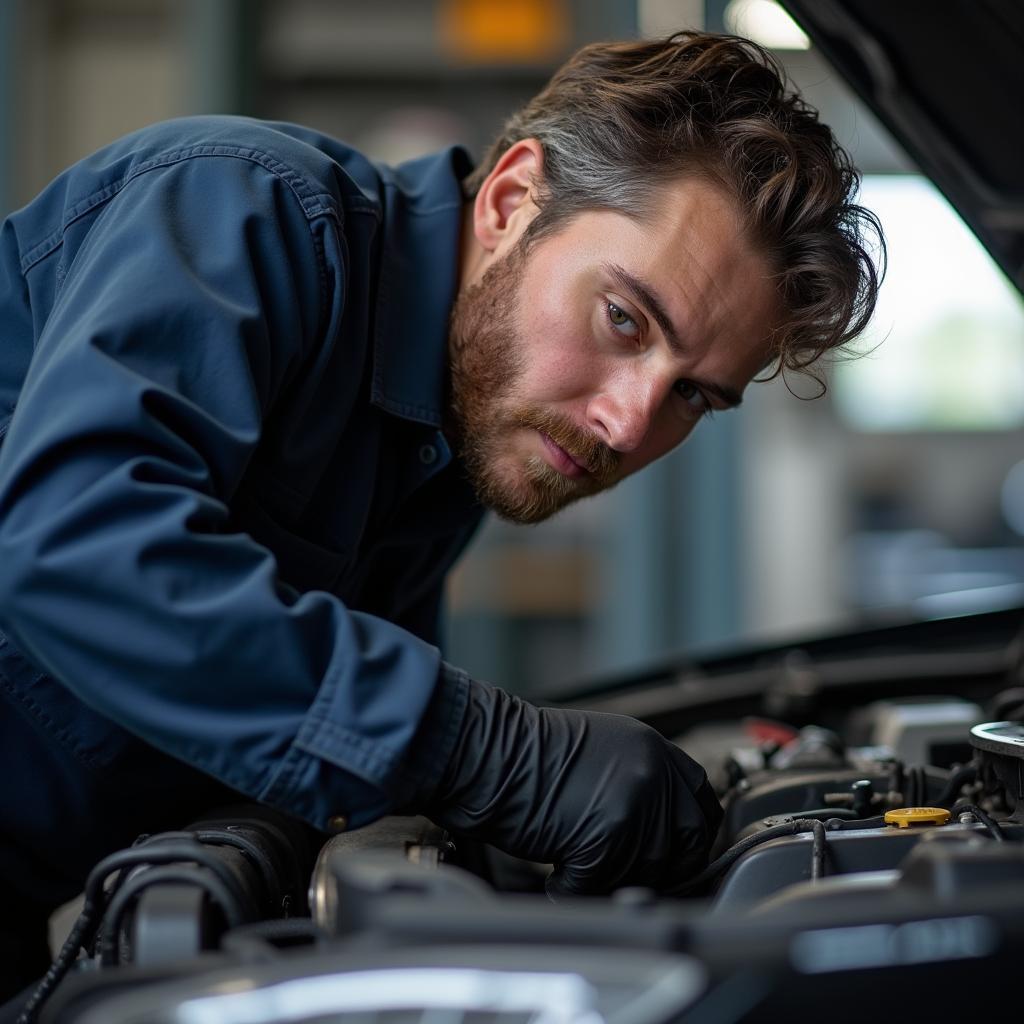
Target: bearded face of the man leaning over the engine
[{"x": 599, "y": 350}]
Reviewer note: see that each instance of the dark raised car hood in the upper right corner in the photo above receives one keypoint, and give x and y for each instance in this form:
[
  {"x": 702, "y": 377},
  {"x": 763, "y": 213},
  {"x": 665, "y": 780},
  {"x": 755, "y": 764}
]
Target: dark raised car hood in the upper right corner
[{"x": 948, "y": 80}]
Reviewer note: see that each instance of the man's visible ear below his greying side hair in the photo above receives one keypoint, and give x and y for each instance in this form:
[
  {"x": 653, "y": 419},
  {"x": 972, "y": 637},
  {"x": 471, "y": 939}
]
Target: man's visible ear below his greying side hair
[{"x": 504, "y": 206}]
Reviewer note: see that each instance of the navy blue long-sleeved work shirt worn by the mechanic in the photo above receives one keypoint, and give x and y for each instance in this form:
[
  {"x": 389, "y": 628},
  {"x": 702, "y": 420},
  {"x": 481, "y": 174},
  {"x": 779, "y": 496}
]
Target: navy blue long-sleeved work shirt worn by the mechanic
[{"x": 227, "y": 501}]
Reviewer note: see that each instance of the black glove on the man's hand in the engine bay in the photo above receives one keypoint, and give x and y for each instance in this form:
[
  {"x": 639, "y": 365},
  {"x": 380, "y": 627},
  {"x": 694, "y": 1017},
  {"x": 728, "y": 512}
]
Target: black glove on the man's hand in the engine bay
[{"x": 606, "y": 799}]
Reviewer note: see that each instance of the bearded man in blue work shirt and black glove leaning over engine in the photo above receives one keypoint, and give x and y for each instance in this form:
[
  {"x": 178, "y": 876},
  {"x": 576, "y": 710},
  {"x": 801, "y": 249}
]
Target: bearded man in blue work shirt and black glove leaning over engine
[{"x": 258, "y": 395}]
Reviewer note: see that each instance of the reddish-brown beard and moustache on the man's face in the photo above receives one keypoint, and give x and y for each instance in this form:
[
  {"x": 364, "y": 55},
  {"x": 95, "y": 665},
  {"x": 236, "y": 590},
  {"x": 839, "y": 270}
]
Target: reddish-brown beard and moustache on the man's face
[{"x": 487, "y": 367}]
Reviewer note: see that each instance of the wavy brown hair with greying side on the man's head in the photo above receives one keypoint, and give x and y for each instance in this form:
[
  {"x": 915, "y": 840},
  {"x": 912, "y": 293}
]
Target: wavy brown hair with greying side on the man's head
[{"x": 619, "y": 120}]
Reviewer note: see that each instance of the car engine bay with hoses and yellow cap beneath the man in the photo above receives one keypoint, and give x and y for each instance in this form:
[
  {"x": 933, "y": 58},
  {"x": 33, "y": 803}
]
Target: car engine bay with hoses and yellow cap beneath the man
[{"x": 871, "y": 860}]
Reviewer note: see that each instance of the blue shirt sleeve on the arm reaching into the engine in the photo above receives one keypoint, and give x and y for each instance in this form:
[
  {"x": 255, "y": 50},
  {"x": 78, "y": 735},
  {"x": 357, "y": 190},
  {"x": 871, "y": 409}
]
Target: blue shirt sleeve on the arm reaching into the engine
[{"x": 201, "y": 289}]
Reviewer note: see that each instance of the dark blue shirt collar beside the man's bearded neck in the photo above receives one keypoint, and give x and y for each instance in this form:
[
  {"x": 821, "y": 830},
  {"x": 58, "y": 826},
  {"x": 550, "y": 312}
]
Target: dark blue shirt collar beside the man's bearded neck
[{"x": 422, "y": 229}]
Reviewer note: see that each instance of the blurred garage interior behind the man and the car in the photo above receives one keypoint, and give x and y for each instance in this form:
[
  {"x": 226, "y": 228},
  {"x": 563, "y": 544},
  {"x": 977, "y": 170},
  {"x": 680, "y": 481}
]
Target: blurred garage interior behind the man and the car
[{"x": 899, "y": 495}]
